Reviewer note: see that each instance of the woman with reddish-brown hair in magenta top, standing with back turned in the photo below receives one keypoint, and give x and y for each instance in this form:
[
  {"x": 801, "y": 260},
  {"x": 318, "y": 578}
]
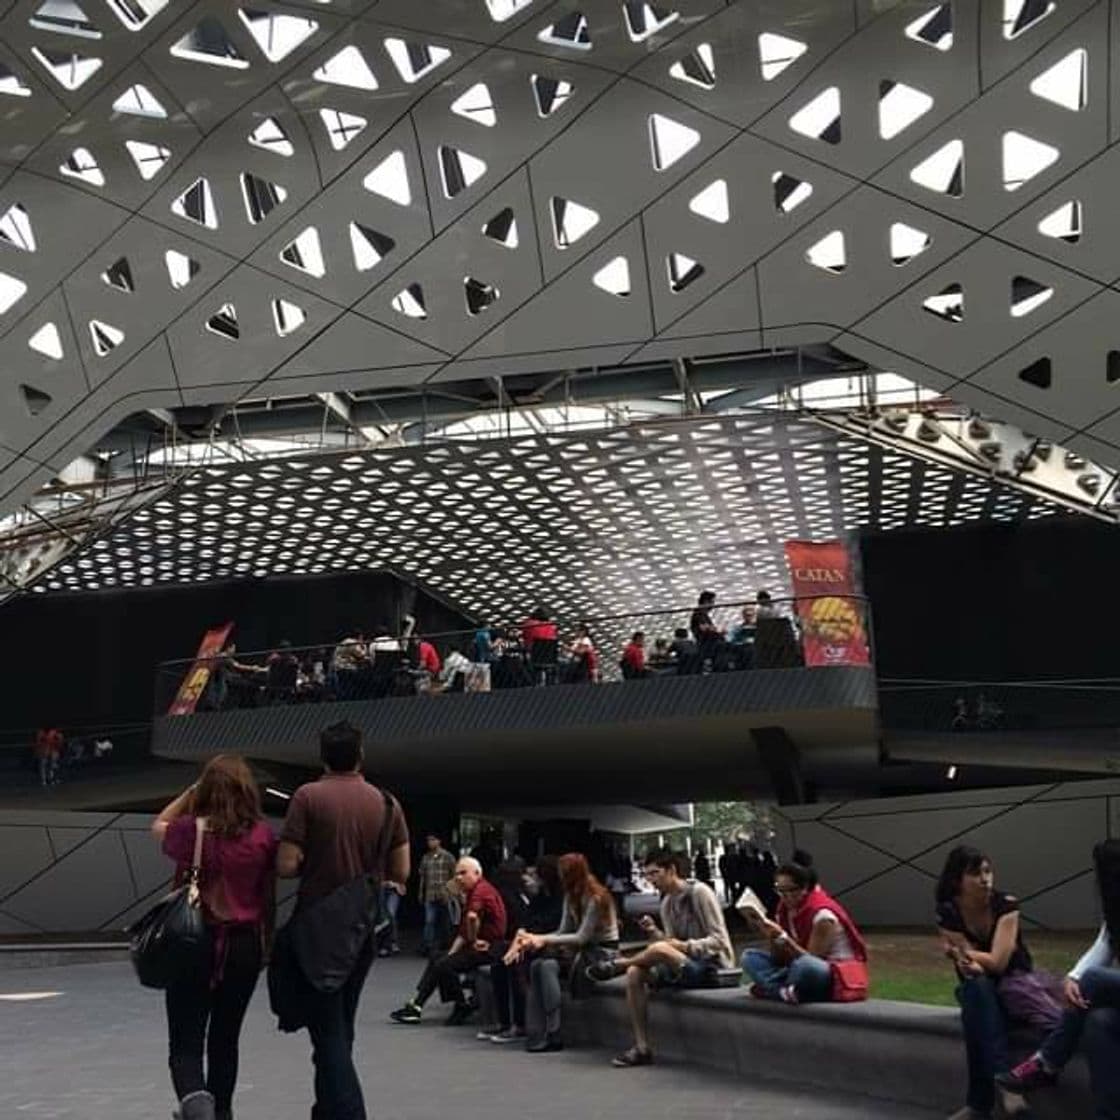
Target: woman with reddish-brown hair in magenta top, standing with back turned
[{"x": 237, "y": 882}]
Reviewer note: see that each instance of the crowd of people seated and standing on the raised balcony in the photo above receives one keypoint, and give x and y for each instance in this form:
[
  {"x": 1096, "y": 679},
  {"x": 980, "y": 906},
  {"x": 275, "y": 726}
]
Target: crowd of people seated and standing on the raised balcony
[{"x": 375, "y": 664}]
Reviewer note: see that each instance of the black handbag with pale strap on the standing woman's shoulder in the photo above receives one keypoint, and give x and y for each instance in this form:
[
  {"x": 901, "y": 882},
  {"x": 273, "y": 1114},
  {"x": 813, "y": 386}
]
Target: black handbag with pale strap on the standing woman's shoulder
[{"x": 172, "y": 940}]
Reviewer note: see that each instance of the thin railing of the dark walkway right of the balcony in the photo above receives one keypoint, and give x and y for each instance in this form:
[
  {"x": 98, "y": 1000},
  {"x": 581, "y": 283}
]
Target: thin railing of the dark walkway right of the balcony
[{"x": 991, "y": 707}]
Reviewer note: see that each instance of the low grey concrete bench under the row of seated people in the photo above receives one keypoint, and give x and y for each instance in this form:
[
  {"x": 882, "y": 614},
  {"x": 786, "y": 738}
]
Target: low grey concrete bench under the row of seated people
[{"x": 909, "y": 1053}]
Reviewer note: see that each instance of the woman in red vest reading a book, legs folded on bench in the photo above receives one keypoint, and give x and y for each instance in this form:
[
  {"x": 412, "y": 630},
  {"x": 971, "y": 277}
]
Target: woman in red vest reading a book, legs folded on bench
[{"x": 816, "y": 953}]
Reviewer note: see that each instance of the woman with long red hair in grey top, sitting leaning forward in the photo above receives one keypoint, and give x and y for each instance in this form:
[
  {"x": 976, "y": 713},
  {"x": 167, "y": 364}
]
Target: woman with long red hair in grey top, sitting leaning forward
[{"x": 589, "y": 930}]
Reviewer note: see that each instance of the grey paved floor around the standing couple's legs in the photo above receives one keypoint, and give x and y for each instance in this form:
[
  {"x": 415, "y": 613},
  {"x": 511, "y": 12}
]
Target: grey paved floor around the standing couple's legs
[{"x": 97, "y": 1051}]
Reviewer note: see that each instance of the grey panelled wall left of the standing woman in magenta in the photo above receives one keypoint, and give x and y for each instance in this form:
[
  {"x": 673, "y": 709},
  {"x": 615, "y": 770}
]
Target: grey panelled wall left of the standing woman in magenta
[{"x": 77, "y": 873}]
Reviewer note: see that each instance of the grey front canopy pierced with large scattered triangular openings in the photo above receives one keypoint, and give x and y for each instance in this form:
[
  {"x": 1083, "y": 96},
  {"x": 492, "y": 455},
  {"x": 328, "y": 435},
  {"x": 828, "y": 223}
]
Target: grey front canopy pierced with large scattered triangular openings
[{"x": 204, "y": 203}]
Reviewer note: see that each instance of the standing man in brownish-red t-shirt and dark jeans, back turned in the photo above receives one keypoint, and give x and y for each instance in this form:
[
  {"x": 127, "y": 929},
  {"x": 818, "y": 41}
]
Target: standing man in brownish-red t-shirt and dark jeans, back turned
[{"x": 332, "y": 836}]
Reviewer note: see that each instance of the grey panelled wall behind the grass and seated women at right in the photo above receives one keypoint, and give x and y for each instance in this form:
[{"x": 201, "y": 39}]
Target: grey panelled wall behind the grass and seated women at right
[{"x": 883, "y": 857}]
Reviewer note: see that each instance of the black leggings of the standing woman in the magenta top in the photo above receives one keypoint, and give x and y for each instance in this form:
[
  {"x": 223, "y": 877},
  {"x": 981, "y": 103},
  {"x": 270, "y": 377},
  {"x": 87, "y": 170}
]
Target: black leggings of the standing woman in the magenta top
[{"x": 201, "y": 1019}]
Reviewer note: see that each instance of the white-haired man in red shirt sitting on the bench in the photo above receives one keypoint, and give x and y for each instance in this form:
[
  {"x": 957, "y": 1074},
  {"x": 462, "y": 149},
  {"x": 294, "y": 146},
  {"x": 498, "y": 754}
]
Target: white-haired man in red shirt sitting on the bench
[{"x": 481, "y": 930}]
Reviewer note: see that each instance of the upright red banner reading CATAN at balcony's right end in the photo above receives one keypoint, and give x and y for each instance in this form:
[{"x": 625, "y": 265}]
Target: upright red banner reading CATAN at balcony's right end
[{"x": 833, "y": 628}]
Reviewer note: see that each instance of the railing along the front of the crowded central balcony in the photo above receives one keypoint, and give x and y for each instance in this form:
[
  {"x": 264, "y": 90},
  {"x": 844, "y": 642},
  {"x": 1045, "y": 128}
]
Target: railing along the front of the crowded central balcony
[{"x": 739, "y": 637}]
